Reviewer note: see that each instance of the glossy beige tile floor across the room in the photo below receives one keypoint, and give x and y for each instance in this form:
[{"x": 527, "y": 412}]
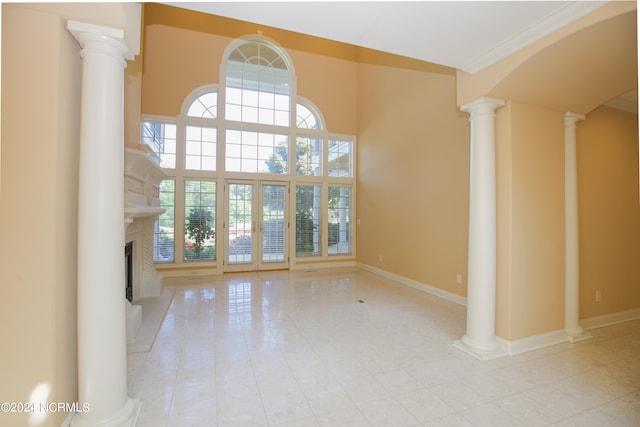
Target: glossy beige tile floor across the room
[{"x": 350, "y": 348}]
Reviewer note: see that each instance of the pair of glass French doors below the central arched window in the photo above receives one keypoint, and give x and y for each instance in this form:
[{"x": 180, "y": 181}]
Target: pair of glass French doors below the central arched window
[{"x": 256, "y": 225}]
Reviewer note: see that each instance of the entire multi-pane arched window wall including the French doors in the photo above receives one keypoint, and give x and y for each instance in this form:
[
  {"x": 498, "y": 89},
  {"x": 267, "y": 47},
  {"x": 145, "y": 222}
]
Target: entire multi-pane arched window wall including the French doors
[{"x": 252, "y": 134}]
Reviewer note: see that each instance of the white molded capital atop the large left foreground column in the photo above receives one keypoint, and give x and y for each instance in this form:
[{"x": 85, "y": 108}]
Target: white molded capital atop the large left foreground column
[{"x": 111, "y": 40}]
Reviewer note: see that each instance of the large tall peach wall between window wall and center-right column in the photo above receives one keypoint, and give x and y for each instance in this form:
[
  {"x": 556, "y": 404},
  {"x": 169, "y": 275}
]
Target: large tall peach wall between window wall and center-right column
[{"x": 413, "y": 175}]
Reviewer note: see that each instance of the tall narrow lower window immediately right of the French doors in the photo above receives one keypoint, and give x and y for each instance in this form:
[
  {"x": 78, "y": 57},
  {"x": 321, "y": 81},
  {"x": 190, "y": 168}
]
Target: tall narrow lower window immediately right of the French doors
[{"x": 308, "y": 208}]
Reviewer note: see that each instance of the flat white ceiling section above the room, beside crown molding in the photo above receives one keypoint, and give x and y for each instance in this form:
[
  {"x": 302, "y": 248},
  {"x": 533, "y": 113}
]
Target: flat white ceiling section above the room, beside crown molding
[{"x": 465, "y": 35}]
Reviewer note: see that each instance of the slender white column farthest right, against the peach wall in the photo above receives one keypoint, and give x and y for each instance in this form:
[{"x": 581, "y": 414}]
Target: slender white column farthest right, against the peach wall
[{"x": 572, "y": 265}]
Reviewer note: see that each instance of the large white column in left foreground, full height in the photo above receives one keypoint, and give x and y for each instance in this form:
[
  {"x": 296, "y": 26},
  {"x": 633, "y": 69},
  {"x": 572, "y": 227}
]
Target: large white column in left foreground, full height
[{"x": 102, "y": 343}]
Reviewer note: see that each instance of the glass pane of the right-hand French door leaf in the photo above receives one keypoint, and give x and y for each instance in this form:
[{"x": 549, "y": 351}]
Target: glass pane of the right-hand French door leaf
[{"x": 273, "y": 223}]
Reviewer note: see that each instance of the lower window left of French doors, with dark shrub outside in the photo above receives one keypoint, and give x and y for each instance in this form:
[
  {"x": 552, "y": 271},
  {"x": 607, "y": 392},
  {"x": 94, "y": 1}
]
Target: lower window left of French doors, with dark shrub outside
[{"x": 199, "y": 220}]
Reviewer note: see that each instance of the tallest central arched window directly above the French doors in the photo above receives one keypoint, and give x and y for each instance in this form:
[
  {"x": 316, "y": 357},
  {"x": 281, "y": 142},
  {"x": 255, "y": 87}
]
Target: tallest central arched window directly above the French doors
[{"x": 257, "y": 91}]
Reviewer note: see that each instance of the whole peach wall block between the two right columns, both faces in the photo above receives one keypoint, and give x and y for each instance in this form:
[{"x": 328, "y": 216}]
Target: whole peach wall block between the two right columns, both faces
[{"x": 530, "y": 171}]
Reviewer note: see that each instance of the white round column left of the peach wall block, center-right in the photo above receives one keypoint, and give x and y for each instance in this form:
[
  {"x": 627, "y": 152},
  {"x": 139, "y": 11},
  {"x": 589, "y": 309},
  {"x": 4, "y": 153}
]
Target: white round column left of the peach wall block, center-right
[{"x": 480, "y": 340}]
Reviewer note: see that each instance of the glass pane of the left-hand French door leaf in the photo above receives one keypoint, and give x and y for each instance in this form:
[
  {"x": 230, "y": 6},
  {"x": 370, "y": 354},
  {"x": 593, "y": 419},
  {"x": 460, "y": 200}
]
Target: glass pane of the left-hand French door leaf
[{"x": 241, "y": 223}]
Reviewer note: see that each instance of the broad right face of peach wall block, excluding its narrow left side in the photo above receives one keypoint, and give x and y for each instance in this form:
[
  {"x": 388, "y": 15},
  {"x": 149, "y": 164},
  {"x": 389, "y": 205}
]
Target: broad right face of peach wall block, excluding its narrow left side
[{"x": 537, "y": 137}]
